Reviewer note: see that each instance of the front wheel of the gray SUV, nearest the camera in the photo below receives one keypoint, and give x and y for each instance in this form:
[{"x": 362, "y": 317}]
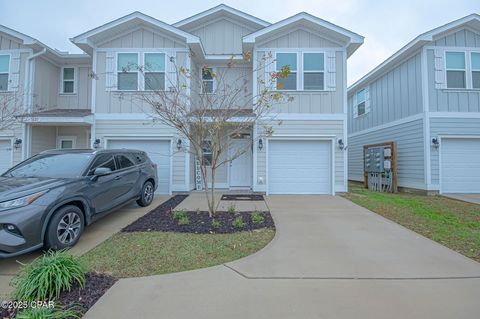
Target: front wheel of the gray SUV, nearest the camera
[{"x": 65, "y": 228}]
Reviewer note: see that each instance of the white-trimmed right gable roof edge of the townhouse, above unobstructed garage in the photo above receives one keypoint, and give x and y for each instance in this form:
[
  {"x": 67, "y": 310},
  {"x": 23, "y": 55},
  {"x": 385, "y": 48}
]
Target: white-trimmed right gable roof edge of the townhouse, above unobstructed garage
[{"x": 349, "y": 38}]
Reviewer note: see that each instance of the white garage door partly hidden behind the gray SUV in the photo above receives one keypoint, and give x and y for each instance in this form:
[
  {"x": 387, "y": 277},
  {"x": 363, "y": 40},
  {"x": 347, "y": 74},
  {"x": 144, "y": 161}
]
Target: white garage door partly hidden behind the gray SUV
[{"x": 159, "y": 153}]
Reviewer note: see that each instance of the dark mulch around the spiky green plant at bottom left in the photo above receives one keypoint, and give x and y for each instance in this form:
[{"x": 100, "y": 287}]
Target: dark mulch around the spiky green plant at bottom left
[{"x": 81, "y": 299}]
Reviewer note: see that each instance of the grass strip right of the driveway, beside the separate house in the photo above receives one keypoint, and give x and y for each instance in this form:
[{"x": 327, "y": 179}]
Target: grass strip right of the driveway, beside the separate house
[{"x": 452, "y": 223}]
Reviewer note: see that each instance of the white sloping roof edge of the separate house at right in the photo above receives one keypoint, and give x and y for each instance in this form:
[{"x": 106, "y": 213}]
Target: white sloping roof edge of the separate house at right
[{"x": 472, "y": 21}]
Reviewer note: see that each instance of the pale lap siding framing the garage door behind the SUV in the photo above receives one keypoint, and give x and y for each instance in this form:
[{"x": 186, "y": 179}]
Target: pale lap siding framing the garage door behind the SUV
[{"x": 138, "y": 129}]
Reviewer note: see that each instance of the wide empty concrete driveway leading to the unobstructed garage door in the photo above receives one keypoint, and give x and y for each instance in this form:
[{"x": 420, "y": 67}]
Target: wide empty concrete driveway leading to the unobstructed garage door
[{"x": 330, "y": 259}]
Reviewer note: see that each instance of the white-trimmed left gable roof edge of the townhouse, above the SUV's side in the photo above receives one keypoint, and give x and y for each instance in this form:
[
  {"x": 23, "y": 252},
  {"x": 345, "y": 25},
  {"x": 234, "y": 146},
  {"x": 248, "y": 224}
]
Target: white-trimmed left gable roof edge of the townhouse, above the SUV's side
[{"x": 87, "y": 40}]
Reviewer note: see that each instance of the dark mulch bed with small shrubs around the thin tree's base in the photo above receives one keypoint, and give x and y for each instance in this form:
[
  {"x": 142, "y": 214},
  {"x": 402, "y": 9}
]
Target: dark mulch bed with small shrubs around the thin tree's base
[{"x": 200, "y": 222}]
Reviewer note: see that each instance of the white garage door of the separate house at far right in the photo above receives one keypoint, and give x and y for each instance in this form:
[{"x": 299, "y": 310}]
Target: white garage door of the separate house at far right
[{"x": 460, "y": 165}]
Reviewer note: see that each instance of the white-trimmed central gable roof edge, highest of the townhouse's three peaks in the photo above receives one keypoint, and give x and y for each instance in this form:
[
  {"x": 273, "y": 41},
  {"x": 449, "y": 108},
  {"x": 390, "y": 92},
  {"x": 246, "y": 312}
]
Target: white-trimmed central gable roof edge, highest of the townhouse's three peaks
[{"x": 219, "y": 11}]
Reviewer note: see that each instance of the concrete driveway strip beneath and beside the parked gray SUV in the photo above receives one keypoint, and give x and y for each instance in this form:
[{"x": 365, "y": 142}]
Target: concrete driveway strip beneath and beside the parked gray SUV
[{"x": 93, "y": 236}]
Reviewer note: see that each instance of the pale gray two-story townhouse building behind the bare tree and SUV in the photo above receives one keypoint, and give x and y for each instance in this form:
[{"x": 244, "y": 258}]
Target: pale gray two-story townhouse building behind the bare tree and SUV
[{"x": 94, "y": 106}]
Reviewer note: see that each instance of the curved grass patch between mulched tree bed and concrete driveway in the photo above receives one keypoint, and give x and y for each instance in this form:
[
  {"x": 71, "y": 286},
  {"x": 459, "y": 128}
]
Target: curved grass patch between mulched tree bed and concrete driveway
[{"x": 152, "y": 253}]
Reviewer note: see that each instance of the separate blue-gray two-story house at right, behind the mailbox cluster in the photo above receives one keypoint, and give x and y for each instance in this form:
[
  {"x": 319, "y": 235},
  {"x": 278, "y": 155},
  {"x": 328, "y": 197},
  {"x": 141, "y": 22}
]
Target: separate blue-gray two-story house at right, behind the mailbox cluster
[{"x": 426, "y": 98}]
